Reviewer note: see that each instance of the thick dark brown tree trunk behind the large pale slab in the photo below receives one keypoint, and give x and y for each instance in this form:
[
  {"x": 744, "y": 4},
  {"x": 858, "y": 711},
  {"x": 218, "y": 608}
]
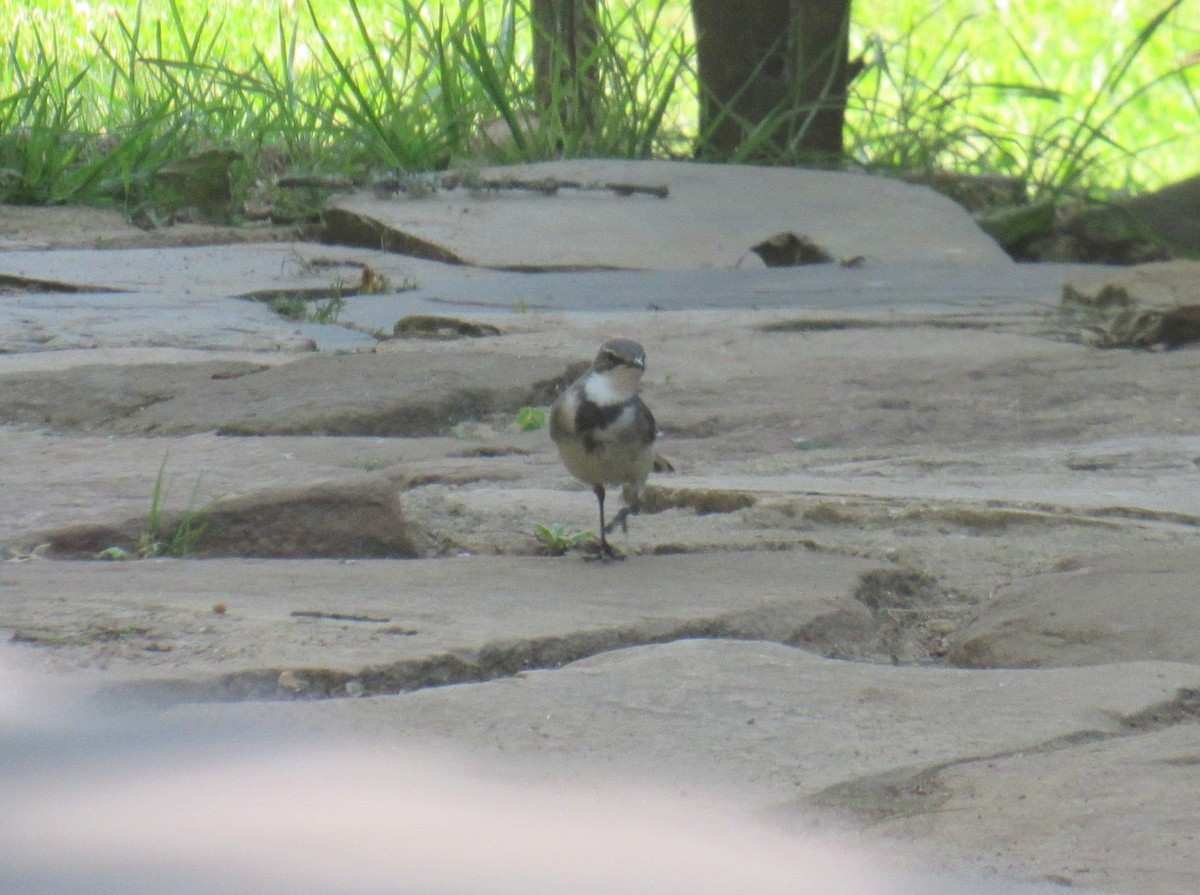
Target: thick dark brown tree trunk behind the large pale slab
[{"x": 778, "y": 64}]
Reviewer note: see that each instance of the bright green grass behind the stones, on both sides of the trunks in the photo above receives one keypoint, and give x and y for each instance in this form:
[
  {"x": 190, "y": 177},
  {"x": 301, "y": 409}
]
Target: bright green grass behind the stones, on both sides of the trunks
[{"x": 97, "y": 100}]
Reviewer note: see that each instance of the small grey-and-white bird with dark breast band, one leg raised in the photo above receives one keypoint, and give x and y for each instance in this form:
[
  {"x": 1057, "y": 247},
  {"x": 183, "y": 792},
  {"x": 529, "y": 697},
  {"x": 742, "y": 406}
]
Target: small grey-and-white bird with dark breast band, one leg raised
[{"x": 605, "y": 434}]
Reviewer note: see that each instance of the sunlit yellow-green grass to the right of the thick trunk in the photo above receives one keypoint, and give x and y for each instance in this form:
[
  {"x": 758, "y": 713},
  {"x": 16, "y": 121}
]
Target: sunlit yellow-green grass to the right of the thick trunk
[{"x": 1064, "y": 95}]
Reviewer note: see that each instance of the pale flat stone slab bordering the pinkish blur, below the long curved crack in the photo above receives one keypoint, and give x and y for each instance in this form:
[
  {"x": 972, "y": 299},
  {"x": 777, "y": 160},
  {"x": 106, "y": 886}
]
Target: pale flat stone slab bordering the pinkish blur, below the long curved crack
[{"x": 760, "y": 723}]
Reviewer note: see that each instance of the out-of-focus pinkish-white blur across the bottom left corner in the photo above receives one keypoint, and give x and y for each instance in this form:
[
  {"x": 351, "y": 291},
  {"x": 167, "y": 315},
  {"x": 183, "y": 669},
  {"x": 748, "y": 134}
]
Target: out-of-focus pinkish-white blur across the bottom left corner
[{"x": 101, "y": 798}]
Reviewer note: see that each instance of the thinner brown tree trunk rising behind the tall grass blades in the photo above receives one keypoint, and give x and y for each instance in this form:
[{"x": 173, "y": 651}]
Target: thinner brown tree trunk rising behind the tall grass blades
[{"x": 565, "y": 41}]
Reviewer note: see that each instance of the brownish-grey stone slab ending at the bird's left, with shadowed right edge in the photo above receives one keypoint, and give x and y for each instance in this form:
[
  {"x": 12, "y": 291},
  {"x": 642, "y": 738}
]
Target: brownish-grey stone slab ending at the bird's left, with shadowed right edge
[{"x": 415, "y": 392}]
